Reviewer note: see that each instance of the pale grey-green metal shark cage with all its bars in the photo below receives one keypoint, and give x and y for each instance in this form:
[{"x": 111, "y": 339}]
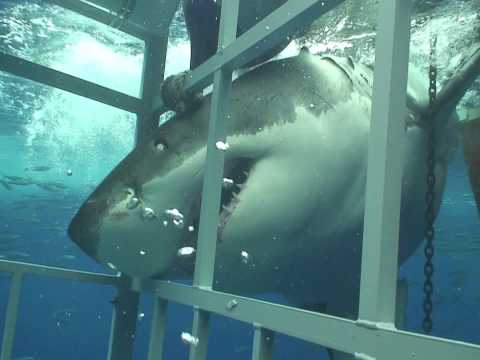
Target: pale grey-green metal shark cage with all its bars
[{"x": 373, "y": 335}]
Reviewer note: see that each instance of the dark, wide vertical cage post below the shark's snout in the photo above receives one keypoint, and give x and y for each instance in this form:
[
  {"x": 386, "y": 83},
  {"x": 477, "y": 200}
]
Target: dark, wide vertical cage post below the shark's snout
[{"x": 122, "y": 334}]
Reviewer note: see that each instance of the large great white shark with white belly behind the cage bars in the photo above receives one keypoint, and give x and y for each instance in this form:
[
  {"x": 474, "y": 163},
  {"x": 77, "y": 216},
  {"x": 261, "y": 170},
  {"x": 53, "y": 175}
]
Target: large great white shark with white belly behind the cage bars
[{"x": 292, "y": 211}]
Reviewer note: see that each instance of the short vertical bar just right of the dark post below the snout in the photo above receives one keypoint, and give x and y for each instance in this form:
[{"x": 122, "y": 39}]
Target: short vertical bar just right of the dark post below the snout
[{"x": 157, "y": 333}]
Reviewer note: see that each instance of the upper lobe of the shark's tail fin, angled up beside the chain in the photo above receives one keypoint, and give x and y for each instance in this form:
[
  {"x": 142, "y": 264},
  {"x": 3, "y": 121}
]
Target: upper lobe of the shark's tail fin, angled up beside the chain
[{"x": 453, "y": 91}]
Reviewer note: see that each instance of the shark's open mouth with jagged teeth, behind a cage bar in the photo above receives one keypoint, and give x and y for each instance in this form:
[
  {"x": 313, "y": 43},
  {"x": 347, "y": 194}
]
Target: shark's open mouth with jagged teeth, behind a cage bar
[{"x": 235, "y": 178}]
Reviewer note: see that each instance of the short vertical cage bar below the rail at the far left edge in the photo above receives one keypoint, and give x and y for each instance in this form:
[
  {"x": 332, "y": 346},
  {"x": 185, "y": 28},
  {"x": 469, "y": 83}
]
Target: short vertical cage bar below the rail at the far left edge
[{"x": 11, "y": 317}]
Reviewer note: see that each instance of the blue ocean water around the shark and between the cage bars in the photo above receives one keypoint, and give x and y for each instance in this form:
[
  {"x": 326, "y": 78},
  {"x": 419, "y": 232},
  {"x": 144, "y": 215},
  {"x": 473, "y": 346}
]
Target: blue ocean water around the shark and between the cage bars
[{"x": 45, "y": 127}]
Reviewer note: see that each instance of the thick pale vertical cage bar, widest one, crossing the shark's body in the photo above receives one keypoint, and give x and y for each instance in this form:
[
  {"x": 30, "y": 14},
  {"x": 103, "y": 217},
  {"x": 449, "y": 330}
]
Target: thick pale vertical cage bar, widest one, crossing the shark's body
[{"x": 385, "y": 163}]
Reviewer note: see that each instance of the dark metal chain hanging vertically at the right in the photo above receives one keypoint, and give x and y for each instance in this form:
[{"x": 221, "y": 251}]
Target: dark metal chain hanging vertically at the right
[{"x": 430, "y": 195}]
